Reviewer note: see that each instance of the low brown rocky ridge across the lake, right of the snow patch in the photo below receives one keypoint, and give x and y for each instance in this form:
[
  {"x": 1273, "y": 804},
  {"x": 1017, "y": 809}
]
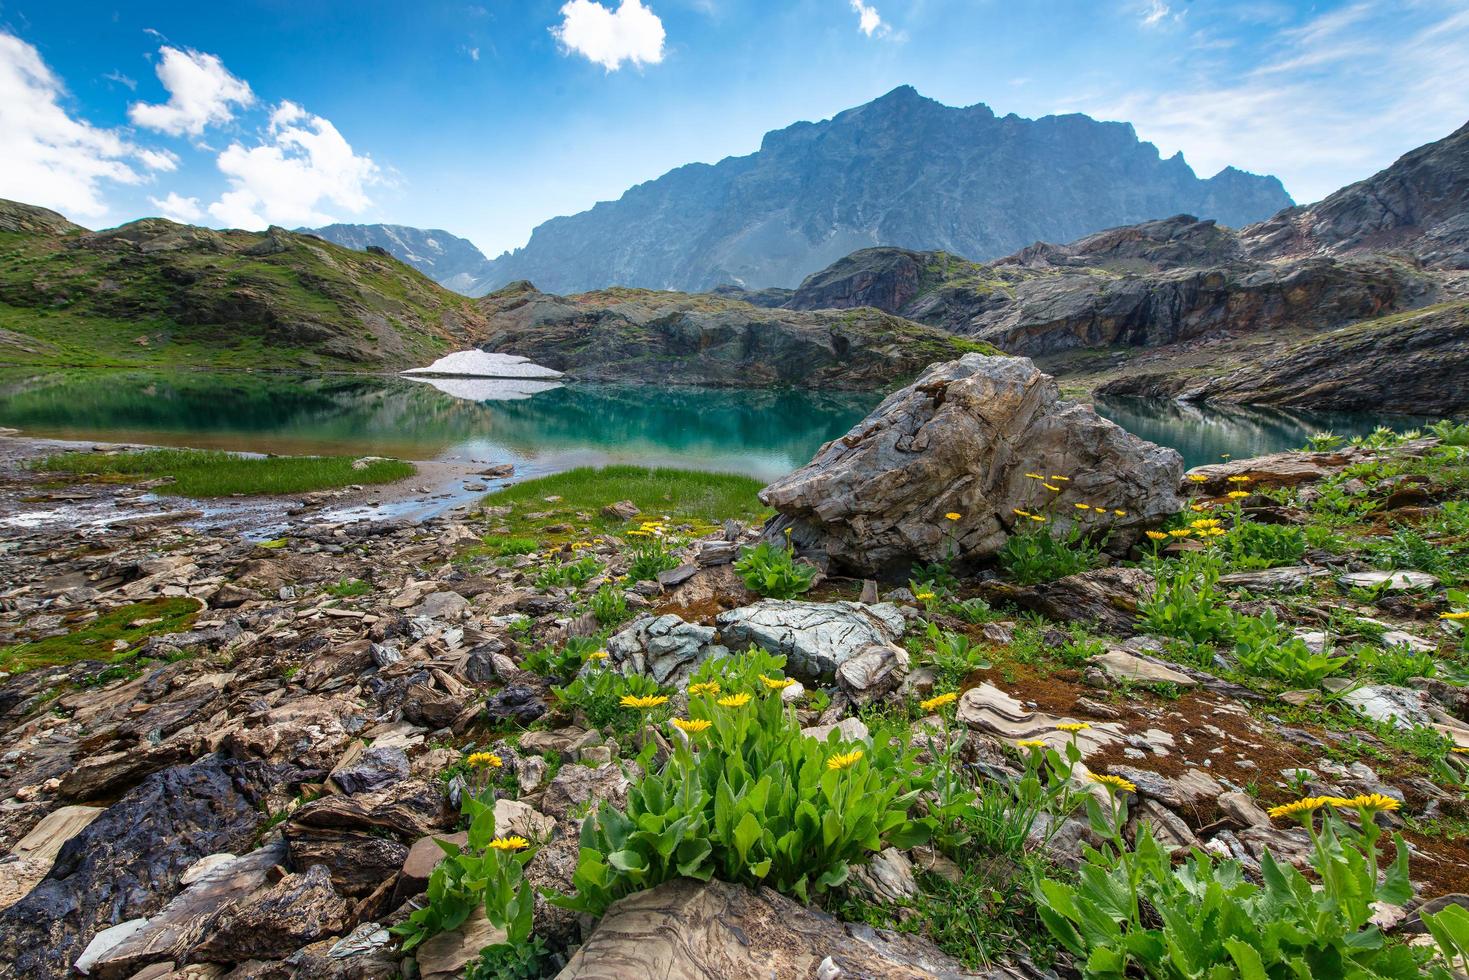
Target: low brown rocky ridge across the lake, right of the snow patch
[{"x": 706, "y": 340}]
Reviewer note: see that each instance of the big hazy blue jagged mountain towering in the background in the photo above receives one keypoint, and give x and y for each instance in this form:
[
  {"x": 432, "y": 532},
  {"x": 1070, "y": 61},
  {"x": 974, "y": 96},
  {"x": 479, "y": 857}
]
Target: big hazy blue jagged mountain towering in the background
[{"x": 901, "y": 171}]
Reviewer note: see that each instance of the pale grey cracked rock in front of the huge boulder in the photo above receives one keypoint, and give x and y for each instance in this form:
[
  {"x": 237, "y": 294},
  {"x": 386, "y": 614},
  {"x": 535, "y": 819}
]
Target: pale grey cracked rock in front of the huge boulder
[{"x": 816, "y": 638}]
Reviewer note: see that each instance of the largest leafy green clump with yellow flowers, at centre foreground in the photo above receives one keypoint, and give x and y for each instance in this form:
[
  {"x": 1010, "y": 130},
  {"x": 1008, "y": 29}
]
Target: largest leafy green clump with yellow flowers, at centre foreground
[{"x": 751, "y": 800}]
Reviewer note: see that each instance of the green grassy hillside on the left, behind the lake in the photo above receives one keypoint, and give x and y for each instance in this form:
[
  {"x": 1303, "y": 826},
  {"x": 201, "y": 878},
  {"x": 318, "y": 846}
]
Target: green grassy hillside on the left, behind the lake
[{"x": 159, "y": 293}]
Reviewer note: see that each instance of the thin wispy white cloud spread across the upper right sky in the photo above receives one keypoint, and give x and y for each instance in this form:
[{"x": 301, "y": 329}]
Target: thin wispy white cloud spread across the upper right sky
[{"x": 1305, "y": 112}]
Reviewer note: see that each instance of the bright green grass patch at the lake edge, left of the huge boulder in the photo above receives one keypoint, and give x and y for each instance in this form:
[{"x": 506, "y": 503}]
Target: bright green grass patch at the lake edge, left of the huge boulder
[{"x": 681, "y": 496}]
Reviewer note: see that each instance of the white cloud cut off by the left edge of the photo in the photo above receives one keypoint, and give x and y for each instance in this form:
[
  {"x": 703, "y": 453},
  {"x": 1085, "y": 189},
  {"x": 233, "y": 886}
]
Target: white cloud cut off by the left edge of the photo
[{"x": 51, "y": 158}]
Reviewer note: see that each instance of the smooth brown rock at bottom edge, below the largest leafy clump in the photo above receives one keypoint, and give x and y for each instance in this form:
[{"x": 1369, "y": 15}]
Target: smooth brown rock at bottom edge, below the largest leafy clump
[{"x": 693, "y": 931}]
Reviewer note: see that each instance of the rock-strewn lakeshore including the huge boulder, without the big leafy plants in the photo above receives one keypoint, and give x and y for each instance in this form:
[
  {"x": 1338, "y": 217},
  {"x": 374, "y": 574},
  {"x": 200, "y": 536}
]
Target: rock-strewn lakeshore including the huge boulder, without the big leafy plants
[{"x": 246, "y": 777}]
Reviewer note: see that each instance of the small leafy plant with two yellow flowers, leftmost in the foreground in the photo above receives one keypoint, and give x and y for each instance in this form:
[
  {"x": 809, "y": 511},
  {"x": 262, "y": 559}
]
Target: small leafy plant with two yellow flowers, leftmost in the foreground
[{"x": 487, "y": 873}]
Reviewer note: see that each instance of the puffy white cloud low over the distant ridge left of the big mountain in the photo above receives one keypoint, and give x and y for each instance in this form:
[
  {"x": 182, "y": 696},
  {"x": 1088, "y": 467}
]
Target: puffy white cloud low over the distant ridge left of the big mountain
[{"x": 302, "y": 167}]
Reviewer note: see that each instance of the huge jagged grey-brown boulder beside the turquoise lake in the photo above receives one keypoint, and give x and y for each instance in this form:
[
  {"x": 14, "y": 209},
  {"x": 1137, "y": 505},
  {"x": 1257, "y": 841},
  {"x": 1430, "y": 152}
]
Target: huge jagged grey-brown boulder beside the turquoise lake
[{"x": 961, "y": 440}]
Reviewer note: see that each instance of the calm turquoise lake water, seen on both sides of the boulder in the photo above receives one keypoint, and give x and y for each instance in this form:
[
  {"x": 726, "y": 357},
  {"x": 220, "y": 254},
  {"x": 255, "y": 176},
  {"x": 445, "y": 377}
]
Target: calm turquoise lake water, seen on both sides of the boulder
[{"x": 541, "y": 427}]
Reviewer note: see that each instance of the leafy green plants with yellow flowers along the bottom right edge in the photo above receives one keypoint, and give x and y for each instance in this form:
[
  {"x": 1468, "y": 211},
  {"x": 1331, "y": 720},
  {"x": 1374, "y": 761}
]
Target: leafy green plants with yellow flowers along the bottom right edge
[{"x": 1135, "y": 913}]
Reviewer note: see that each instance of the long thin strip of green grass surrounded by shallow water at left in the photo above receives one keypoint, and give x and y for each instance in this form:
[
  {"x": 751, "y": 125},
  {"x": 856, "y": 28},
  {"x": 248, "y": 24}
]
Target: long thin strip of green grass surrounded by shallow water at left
[{"x": 212, "y": 474}]
